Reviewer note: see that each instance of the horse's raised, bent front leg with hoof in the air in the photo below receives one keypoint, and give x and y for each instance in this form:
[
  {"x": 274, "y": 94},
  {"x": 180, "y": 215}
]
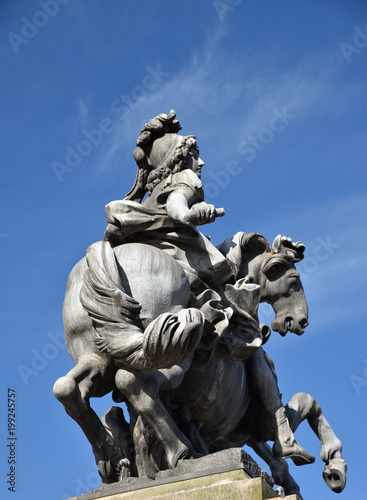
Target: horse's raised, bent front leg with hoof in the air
[{"x": 304, "y": 406}]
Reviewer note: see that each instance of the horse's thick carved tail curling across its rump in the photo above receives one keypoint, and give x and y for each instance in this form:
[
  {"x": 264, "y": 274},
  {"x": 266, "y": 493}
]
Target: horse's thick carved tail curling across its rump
[{"x": 117, "y": 326}]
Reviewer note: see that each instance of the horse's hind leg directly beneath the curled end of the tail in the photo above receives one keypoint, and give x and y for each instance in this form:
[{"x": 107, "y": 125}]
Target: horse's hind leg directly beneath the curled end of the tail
[{"x": 142, "y": 391}]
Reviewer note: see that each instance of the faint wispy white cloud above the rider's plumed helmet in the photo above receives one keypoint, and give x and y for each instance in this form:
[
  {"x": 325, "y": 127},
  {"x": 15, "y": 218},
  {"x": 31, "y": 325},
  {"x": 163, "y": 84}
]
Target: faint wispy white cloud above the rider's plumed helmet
[{"x": 217, "y": 90}]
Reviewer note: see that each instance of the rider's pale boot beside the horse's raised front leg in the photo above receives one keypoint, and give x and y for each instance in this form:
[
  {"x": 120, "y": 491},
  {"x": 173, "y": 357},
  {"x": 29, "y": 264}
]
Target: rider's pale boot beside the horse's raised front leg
[{"x": 285, "y": 444}]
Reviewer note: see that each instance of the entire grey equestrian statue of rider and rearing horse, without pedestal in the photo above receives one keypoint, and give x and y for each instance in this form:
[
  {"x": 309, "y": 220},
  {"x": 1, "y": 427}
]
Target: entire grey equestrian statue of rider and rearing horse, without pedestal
[{"x": 168, "y": 322}]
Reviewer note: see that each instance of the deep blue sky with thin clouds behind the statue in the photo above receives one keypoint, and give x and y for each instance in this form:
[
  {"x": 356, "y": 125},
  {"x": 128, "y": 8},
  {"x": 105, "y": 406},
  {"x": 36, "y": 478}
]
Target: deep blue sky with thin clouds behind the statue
[{"x": 276, "y": 95}]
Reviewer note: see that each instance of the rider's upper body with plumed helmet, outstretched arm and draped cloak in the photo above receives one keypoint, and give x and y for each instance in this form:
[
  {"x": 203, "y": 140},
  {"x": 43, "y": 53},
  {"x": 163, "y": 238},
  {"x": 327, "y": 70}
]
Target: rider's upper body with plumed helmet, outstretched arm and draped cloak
[{"x": 169, "y": 171}]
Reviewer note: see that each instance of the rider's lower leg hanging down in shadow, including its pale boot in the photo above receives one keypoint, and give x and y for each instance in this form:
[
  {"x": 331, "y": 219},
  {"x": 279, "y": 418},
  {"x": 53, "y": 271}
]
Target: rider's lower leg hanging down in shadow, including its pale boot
[{"x": 263, "y": 384}]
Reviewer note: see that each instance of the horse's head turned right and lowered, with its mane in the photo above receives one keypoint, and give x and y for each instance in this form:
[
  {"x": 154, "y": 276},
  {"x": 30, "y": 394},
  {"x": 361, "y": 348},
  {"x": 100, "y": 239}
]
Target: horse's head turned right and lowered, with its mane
[{"x": 273, "y": 268}]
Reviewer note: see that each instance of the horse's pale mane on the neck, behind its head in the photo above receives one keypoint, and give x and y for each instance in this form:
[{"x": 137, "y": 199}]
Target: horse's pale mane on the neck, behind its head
[{"x": 237, "y": 246}]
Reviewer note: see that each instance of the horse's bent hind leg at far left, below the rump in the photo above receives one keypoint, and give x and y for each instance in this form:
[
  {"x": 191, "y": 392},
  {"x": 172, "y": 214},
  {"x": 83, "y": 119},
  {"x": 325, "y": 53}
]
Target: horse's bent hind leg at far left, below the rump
[{"x": 74, "y": 391}]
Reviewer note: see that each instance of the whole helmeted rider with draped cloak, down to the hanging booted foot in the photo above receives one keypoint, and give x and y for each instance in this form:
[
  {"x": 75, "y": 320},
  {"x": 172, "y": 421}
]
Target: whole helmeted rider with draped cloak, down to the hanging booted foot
[{"x": 169, "y": 170}]
